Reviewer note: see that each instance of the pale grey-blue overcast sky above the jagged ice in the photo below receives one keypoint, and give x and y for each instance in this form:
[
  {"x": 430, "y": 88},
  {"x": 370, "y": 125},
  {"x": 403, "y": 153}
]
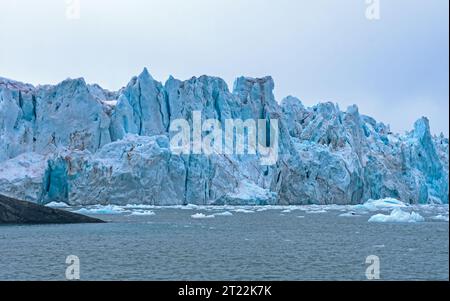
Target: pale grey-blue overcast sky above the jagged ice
[{"x": 395, "y": 68}]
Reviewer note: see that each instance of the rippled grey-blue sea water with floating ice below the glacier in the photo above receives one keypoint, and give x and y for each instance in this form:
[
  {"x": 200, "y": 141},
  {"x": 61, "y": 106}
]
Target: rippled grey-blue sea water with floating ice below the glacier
[{"x": 229, "y": 244}]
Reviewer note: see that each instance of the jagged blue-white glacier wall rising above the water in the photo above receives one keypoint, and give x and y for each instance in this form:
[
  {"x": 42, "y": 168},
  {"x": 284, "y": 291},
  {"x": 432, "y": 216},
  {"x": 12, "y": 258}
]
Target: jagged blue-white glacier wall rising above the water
[{"x": 80, "y": 144}]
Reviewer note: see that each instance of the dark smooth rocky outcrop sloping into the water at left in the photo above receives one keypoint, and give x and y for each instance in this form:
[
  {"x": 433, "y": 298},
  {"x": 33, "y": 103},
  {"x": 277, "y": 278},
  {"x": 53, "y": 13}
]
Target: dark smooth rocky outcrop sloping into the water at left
[{"x": 13, "y": 211}]
